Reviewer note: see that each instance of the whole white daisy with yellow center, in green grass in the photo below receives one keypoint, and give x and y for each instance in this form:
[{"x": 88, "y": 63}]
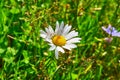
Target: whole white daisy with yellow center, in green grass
[{"x": 61, "y": 38}]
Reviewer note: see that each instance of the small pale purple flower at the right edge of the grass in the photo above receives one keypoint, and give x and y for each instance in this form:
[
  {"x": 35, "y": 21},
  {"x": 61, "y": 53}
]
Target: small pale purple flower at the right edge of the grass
[{"x": 111, "y": 31}]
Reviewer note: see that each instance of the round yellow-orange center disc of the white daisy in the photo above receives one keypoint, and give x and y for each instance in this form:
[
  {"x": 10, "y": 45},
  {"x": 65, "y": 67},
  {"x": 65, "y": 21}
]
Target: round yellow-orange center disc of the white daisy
[{"x": 59, "y": 40}]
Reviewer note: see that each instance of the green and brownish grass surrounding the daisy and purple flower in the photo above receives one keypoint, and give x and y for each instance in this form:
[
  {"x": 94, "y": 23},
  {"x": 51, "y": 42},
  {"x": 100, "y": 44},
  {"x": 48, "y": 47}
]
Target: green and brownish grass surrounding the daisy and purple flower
[{"x": 25, "y": 56}]
